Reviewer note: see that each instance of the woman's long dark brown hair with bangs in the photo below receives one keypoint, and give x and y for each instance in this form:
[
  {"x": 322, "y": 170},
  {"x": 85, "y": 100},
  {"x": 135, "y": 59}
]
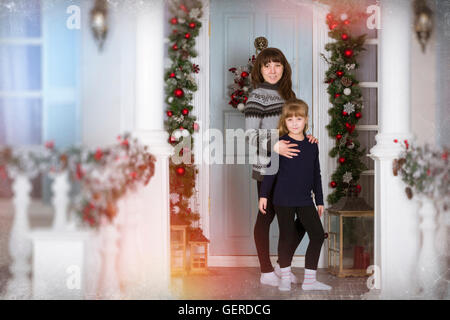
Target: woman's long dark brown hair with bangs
[{"x": 274, "y": 55}]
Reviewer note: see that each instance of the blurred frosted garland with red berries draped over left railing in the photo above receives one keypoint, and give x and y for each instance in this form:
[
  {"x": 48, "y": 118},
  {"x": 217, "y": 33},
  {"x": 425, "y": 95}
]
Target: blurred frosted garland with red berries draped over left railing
[{"x": 105, "y": 174}]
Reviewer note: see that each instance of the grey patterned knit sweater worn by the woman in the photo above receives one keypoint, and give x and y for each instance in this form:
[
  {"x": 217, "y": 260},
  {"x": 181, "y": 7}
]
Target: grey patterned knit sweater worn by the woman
[{"x": 262, "y": 111}]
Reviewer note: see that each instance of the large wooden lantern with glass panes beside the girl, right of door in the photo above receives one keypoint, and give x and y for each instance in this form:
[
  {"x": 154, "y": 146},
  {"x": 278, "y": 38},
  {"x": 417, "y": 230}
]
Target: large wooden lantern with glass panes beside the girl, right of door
[{"x": 350, "y": 236}]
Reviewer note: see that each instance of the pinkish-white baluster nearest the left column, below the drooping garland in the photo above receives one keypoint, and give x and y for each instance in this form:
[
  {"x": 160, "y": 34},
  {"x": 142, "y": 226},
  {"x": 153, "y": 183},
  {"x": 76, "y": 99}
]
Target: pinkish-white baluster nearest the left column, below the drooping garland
[{"x": 109, "y": 287}]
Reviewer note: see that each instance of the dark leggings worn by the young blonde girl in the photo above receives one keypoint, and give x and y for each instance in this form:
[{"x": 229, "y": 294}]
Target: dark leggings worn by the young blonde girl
[{"x": 288, "y": 234}]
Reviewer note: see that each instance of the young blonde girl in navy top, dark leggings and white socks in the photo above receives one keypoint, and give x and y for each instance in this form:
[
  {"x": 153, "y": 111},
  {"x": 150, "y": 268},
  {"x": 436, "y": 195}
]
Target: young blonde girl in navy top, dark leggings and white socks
[{"x": 295, "y": 180}]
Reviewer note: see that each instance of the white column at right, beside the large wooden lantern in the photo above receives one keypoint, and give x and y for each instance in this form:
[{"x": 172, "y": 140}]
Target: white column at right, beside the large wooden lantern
[{"x": 396, "y": 228}]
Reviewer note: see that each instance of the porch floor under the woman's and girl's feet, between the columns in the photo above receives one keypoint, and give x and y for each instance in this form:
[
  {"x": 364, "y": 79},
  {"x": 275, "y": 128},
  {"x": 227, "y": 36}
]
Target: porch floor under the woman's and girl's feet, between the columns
[{"x": 243, "y": 284}]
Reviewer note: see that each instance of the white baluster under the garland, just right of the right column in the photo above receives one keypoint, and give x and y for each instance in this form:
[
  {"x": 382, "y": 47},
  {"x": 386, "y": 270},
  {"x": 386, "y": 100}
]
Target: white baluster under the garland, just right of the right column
[{"x": 428, "y": 271}]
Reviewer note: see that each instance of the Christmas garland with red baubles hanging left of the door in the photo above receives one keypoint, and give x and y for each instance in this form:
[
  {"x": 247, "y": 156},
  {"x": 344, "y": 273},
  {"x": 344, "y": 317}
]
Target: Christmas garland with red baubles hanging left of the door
[{"x": 180, "y": 124}]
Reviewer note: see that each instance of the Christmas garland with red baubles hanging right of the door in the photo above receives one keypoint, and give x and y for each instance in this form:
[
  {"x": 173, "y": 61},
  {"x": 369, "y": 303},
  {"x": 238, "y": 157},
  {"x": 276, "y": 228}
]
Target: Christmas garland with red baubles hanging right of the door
[{"x": 345, "y": 95}]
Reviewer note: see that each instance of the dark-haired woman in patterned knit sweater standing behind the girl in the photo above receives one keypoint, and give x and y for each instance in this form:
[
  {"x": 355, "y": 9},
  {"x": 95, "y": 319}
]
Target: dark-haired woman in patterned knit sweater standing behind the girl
[{"x": 271, "y": 78}]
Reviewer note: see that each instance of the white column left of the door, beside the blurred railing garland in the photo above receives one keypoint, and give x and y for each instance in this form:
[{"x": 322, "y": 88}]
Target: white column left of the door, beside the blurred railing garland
[{"x": 149, "y": 129}]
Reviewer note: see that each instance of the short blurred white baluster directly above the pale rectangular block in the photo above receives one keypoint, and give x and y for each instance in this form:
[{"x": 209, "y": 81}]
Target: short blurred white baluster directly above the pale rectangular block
[{"x": 60, "y": 200}]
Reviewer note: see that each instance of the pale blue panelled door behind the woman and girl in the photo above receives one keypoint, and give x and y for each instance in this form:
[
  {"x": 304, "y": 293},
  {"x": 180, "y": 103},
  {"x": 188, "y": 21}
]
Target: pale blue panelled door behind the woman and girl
[{"x": 234, "y": 25}]
